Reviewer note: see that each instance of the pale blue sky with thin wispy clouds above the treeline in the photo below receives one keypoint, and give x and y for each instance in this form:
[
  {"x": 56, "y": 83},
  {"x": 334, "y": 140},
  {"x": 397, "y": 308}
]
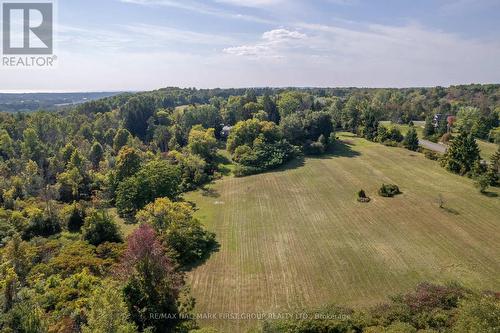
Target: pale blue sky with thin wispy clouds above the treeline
[{"x": 130, "y": 45}]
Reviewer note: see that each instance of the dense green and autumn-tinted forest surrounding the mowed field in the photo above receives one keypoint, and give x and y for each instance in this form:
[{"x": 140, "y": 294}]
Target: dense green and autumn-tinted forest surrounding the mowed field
[{"x": 71, "y": 178}]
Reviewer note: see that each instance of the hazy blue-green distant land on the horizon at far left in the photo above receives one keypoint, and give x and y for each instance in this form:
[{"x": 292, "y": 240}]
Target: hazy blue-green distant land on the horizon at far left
[{"x": 29, "y": 102}]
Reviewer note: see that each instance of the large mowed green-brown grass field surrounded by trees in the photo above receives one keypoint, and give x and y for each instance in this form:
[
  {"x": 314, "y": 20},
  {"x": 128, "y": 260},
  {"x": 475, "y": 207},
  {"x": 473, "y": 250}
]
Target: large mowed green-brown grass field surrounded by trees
[{"x": 297, "y": 237}]
